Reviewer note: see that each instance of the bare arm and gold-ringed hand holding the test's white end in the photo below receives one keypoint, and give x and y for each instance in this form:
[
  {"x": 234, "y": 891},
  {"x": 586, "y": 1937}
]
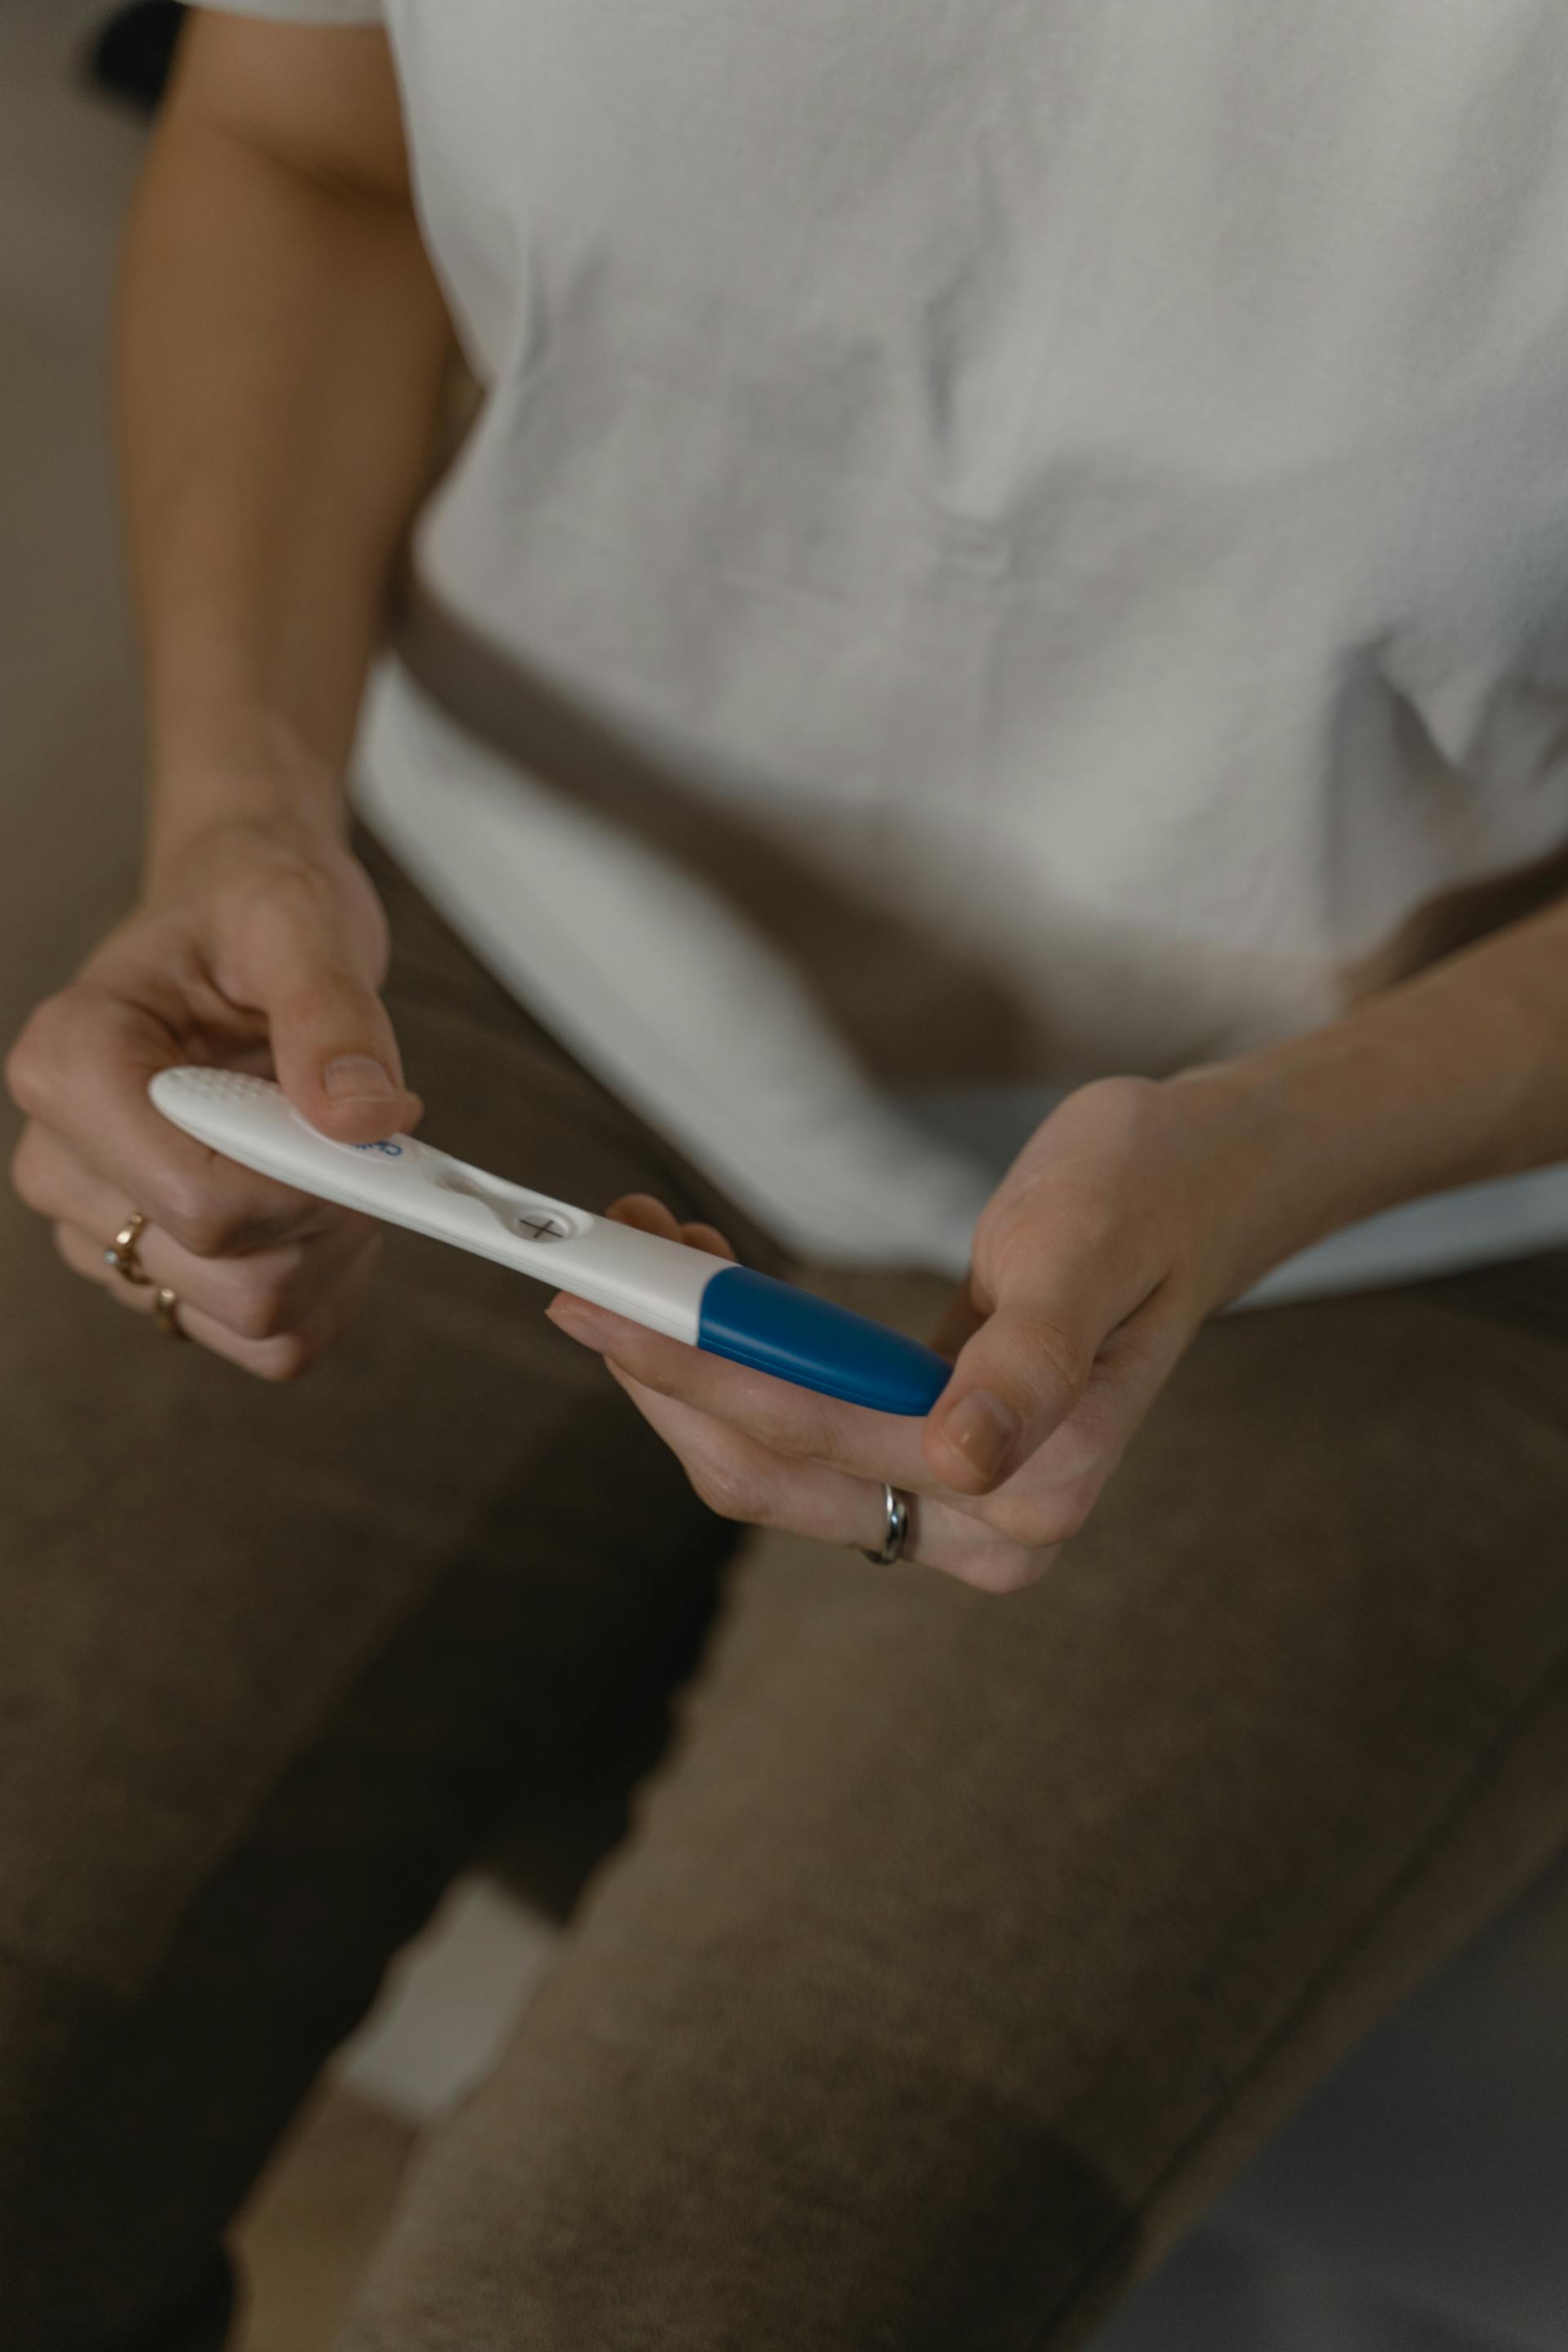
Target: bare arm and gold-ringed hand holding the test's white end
[{"x": 283, "y": 359}]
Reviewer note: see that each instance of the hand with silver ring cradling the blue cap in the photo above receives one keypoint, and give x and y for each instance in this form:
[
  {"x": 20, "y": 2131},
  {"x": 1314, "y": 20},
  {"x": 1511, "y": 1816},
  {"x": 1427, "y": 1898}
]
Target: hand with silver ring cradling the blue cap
[{"x": 1097, "y": 1262}]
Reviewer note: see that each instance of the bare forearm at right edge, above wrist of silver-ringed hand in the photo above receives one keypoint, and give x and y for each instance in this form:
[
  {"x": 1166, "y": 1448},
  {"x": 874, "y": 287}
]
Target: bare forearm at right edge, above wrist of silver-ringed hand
[{"x": 1452, "y": 1078}]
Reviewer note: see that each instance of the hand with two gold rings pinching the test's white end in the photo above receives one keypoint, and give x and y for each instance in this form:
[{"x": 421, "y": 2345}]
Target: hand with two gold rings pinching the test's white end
[{"x": 257, "y": 949}]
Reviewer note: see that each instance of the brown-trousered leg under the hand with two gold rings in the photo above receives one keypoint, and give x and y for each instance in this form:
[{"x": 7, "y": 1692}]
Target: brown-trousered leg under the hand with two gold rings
[{"x": 274, "y": 1664}]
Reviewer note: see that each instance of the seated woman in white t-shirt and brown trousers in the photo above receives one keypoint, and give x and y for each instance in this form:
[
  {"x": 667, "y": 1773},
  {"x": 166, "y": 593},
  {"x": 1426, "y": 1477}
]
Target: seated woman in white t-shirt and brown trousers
[{"x": 986, "y": 695}]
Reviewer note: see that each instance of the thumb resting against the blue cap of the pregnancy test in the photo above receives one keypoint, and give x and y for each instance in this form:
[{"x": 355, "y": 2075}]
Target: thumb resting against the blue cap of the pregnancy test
[{"x": 1024, "y": 1372}]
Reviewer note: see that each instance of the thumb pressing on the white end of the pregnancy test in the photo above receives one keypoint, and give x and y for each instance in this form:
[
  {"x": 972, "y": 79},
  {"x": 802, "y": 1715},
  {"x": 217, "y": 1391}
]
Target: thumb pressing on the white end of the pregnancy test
[{"x": 333, "y": 1041}]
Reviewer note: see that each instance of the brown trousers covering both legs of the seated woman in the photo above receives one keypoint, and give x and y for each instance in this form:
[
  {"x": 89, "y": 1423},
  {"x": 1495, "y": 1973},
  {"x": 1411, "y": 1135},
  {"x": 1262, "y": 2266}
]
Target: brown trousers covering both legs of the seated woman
[{"x": 956, "y": 1953}]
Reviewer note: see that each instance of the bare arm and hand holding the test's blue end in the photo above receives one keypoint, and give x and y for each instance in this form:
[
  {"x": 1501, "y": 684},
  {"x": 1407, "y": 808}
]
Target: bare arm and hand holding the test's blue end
[{"x": 1137, "y": 1212}]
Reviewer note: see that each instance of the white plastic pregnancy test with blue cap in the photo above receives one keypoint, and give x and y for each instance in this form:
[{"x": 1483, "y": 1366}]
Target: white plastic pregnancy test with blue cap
[{"x": 676, "y": 1290}]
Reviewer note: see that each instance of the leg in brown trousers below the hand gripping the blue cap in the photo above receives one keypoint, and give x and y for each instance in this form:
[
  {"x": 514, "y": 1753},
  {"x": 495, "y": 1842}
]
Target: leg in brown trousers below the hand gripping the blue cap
[{"x": 970, "y": 1946}]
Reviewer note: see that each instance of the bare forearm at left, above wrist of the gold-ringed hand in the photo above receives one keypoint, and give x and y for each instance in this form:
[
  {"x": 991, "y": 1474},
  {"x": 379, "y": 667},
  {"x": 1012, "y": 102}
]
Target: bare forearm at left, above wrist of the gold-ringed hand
[{"x": 283, "y": 354}]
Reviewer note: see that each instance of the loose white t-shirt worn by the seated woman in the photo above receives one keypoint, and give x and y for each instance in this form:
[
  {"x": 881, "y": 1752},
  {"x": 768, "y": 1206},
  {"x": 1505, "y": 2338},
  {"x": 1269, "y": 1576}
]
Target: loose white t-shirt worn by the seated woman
[{"x": 1000, "y": 547}]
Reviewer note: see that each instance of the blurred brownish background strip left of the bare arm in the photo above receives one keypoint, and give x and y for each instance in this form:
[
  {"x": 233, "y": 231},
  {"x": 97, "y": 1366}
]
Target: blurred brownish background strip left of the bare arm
[{"x": 69, "y": 726}]
